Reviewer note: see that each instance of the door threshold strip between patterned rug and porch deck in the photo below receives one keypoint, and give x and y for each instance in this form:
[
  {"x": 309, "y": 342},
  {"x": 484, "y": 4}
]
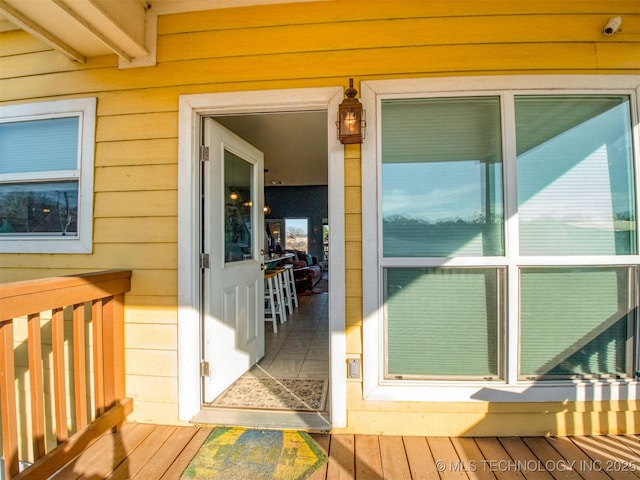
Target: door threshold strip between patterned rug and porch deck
[{"x": 317, "y": 422}]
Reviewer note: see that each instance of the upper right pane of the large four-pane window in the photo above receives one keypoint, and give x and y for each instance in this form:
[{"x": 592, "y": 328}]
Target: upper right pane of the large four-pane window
[{"x": 575, "y": 175}]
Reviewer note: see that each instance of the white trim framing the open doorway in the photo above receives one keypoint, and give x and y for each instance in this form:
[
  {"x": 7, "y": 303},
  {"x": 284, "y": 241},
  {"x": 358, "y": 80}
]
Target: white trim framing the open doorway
[{"x": 191, "y": 109}]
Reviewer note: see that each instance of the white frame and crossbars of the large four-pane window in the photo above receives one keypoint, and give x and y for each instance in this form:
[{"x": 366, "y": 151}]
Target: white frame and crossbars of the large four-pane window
[{"x": 510, "y": 389}]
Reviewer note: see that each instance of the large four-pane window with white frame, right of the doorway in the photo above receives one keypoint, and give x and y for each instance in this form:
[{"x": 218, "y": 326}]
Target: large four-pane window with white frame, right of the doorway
[{"x": 506, "y": 240}]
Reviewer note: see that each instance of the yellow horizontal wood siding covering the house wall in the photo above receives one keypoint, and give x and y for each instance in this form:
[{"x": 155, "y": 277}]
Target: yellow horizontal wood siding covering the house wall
[{"x": 289, "y": 46}]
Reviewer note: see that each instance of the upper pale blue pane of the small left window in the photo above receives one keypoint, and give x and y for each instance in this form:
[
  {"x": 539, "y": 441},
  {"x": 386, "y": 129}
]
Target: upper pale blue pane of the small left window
[{"x": 39, "y": 145}]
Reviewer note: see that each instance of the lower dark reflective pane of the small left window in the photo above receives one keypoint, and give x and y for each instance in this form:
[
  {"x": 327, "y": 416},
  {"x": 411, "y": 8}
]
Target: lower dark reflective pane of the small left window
[{"x": 39, "y": 208}]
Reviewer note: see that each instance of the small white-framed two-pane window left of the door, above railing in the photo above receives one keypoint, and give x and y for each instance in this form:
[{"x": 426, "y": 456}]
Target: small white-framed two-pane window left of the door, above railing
[{"x": 46, "y": 176}]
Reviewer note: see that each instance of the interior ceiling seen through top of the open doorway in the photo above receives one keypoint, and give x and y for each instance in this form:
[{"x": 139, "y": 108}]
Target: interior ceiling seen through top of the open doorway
[{"x": 294, "y": 145}]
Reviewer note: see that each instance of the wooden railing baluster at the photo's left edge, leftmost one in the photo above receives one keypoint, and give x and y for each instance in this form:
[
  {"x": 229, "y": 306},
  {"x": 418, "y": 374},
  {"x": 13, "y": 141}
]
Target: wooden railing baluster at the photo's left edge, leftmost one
[{"x": 8, "y": 400}]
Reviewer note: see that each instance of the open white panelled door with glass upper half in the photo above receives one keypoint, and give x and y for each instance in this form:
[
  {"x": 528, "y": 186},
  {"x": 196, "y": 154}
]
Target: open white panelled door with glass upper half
[{"x": 233, "y": 238}]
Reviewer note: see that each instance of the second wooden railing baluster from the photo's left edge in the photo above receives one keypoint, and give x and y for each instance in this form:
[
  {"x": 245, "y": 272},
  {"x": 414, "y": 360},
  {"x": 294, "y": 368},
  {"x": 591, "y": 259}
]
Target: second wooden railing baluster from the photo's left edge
[{"x": 36, "y": 385}]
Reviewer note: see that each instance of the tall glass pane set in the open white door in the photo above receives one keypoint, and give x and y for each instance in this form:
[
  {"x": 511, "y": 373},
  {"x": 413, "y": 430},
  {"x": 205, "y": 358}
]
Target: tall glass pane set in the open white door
[{"x": 238, "y": 175}]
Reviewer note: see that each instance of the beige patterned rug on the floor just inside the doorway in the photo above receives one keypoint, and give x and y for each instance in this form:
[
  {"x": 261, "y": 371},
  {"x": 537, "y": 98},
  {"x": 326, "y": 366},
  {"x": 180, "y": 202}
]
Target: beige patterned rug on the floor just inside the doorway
[{"x": 302, "y": 394}]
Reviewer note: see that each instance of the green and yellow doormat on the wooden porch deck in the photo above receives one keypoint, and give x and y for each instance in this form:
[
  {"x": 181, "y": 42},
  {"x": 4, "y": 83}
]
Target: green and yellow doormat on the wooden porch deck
[{"x": 232, "y": 453}]
